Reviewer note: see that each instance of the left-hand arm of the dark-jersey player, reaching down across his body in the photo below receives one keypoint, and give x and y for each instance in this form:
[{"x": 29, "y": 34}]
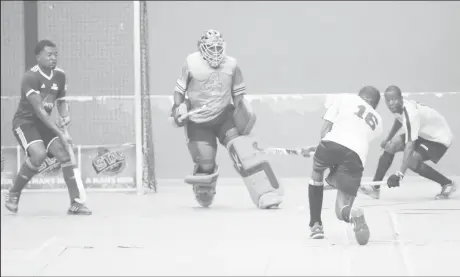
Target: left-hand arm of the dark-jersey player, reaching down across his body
[{"x": 31, "y": 89}]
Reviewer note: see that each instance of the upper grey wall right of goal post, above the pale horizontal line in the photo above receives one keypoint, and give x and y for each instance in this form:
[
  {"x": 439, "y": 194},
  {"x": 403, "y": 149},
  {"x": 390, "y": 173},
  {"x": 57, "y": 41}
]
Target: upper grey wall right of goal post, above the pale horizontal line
[{"x": 315, "y": 47}]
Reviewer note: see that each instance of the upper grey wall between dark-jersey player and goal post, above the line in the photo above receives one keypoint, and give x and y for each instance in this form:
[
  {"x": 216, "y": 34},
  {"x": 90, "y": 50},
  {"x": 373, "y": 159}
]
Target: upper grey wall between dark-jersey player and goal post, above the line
[{"x": 95, "y": 40}]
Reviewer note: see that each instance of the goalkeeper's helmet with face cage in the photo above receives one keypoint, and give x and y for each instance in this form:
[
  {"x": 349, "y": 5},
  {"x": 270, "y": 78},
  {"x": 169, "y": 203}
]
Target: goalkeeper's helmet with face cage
[{"x": 212, "y": 47}]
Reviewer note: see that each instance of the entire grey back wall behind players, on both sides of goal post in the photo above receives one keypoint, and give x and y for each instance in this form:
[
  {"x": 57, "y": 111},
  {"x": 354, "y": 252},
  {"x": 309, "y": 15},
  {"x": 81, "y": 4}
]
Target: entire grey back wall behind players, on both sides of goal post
[{"x": 283, "y": 48}]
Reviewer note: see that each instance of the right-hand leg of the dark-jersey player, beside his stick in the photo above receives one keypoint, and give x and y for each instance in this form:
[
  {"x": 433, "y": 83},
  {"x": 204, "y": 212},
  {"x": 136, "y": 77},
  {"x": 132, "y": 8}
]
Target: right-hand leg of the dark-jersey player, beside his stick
[{"x": 56, "y": 149}]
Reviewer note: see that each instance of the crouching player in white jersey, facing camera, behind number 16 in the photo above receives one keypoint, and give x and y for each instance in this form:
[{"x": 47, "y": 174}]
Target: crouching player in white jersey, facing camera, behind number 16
[{"x": 427, "y": 137}]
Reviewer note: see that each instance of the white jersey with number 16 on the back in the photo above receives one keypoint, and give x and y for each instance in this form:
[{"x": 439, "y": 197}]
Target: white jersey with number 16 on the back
[{"x": 355, "y": 124}]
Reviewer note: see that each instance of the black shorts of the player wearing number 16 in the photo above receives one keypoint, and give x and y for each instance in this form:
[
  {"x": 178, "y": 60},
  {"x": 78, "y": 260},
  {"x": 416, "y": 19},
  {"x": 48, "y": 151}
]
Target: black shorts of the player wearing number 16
[{"x": 346, "y": 168}]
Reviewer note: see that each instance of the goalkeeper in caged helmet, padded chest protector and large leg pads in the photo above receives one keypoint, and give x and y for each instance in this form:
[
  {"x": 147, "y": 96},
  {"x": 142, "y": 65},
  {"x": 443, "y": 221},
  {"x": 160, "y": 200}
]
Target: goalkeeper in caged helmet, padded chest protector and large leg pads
[{"x": 211, "y": 78}]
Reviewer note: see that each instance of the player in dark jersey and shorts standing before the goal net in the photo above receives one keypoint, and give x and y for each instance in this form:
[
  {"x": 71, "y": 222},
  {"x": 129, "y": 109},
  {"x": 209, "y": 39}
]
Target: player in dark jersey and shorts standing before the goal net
[{"x": 35, "y": 130}]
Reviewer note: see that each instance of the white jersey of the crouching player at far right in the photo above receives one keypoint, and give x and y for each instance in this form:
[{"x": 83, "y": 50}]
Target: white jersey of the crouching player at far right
[{"x": 422, "y": 121}]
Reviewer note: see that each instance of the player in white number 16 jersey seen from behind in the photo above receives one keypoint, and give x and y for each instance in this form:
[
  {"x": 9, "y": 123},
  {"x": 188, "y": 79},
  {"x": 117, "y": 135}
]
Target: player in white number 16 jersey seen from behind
[{"x": 351, "y": 123}]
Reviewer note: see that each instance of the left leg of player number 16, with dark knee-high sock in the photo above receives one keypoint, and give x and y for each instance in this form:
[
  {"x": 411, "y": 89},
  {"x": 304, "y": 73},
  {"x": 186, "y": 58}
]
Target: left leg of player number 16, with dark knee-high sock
[{"x": 327, "y": 155}]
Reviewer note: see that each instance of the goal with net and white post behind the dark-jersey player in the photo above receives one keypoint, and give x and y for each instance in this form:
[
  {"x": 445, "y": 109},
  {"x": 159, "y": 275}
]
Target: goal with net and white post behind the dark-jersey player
[{"x": 106, "y": 63}]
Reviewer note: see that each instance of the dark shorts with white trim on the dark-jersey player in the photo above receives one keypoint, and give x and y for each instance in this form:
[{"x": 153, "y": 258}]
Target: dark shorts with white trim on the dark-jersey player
[{"x": 29, "y": 133}]
